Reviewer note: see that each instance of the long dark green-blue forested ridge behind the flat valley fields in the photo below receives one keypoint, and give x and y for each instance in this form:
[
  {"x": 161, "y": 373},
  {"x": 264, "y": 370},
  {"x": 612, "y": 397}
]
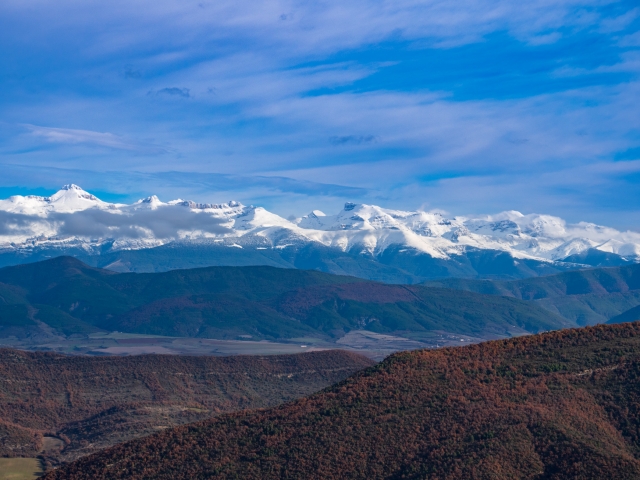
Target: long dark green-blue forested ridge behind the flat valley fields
[{"x": 64, "y": 297}]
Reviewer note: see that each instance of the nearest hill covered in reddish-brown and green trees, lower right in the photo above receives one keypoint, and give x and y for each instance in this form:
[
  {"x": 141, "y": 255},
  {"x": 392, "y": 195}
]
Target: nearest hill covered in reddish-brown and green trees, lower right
[{"x": 559, "y": 405}]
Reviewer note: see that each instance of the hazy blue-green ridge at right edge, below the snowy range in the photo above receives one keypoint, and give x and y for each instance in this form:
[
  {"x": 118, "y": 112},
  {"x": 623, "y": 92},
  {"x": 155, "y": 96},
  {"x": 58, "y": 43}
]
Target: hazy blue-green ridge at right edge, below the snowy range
[{"x": 583, "y": 297}]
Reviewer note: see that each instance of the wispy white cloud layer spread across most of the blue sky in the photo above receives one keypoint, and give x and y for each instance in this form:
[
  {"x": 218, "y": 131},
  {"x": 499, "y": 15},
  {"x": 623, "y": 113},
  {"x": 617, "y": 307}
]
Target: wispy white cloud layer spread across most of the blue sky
[{"x": 249, "y": 111}]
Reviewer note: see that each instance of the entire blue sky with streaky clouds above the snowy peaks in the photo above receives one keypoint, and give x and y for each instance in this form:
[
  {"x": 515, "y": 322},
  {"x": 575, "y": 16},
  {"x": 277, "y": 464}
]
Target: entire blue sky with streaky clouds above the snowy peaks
[{"x": 467, "y": 107}]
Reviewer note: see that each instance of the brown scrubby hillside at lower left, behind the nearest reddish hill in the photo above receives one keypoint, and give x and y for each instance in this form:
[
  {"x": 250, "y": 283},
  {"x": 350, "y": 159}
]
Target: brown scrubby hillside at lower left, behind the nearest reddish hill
[{"x": 90, "y": 403}]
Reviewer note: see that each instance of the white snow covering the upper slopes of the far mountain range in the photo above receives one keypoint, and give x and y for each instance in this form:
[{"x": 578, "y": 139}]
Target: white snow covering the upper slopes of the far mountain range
[{"x": 75, "y": 217}]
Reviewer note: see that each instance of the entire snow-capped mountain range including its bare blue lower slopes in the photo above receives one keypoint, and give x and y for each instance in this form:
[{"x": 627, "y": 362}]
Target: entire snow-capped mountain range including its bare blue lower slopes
[{"x": 362, "y": 240}]
